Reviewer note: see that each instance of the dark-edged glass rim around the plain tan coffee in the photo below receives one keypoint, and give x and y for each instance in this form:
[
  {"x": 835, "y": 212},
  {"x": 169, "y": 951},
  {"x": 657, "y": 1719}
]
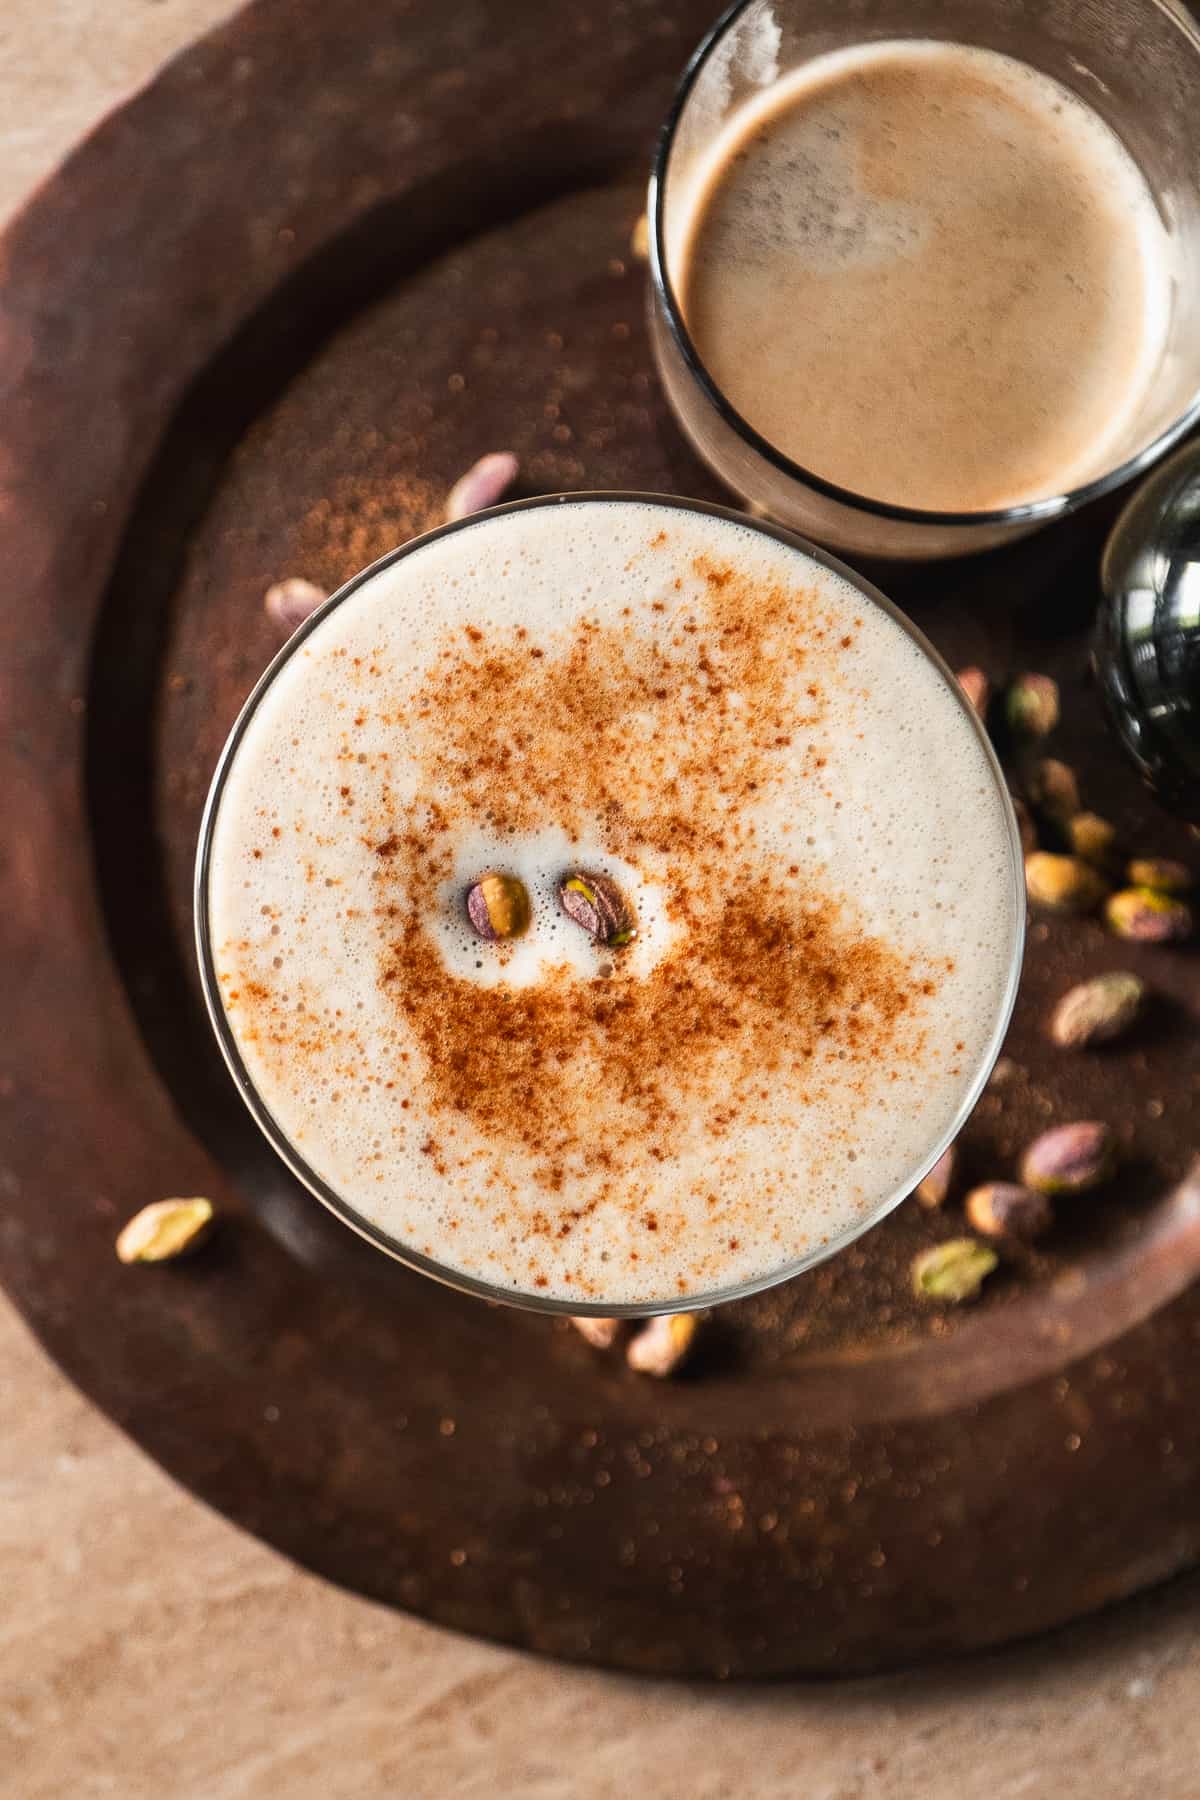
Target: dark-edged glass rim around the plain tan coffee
[{"x": 1030, "y": 512}]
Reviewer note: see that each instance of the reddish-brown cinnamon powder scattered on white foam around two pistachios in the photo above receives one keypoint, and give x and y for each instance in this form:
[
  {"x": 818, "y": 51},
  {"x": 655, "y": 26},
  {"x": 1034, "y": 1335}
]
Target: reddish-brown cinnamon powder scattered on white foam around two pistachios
[{"x": 663, "y": 744}]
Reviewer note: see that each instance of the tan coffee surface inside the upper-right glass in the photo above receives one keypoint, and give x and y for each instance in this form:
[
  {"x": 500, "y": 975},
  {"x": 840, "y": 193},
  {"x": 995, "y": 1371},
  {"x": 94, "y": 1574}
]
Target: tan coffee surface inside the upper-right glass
[{"x": 929, "y": 274}]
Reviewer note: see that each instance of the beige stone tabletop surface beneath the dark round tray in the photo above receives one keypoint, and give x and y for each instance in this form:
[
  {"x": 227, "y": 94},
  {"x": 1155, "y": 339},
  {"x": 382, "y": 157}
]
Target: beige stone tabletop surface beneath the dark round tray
[{"x": 148, "y": 1650}]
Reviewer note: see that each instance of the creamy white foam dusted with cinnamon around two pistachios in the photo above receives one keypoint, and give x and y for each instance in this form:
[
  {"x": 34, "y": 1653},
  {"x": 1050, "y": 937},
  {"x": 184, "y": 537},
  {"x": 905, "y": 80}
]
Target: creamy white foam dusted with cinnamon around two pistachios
[{"x": 789, "y": 793}]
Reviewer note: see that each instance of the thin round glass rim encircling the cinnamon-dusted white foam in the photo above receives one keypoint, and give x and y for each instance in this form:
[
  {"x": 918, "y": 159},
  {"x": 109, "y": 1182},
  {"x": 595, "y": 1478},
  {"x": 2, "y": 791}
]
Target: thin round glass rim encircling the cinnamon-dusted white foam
[{"x": 341, "y": 1207}]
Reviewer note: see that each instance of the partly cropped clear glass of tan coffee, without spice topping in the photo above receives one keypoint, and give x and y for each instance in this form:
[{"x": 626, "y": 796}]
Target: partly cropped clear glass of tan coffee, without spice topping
[{"x": 924, "y": 274}]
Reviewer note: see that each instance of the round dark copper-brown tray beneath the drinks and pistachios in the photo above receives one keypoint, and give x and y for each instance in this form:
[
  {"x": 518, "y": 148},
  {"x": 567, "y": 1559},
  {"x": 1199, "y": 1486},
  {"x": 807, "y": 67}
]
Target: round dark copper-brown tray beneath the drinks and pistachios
[{"x": 256, "y": 328}]
